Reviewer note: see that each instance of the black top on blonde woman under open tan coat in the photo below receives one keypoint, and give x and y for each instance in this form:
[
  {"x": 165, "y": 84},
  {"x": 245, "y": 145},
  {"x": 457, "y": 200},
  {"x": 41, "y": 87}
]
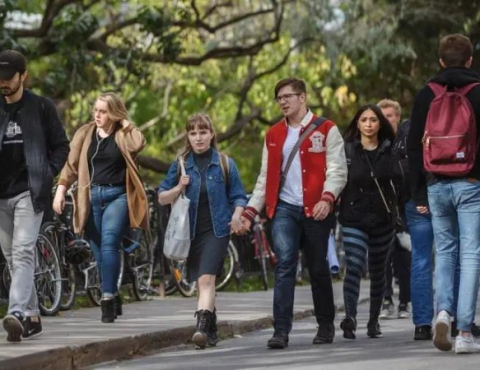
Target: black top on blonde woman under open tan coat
[{"x": 106, "y": 161}]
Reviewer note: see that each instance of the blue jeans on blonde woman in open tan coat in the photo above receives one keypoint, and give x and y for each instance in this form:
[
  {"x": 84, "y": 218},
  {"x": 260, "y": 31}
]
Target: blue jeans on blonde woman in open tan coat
[{"x": 106, "y": 226}]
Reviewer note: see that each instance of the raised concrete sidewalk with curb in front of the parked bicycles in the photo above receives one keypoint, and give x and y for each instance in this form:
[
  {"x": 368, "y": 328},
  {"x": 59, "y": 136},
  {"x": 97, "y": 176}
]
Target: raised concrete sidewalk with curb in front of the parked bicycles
[{"x": 77, "y": 339}]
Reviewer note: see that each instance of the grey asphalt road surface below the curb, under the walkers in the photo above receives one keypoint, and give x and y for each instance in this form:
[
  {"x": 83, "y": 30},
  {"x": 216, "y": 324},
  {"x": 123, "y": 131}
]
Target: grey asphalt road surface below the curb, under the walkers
[{"x": 396, "y": 351}]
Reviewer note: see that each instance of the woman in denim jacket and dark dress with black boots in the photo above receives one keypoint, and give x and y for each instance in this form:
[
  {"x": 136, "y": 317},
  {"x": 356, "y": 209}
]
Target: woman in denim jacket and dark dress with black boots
[{"x": 216, "y": 205}]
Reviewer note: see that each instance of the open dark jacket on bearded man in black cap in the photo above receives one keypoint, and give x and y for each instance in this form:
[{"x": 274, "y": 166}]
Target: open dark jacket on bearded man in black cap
[{"x": 45, "y": 143}]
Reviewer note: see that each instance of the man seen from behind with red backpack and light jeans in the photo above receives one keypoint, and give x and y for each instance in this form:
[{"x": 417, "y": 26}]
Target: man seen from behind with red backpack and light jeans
[{"x": 445, "y": 182}]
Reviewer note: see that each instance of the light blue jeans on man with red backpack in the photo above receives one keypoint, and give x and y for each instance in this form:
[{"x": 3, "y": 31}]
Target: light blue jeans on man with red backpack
[{"x": 455, "y": 208}]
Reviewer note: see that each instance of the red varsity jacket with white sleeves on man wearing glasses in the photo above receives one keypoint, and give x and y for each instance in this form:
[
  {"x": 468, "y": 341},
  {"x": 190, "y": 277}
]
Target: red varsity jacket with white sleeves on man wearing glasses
[{"x": 323, "y": 162}]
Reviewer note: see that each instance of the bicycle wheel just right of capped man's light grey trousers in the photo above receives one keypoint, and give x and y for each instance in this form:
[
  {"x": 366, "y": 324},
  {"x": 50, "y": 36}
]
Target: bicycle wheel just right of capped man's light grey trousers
[{"x": 48, "y": 278}]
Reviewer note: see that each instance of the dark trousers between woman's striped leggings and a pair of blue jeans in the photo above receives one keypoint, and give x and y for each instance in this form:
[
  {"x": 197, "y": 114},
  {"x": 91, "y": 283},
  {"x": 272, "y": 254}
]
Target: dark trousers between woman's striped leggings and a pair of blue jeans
[{"x": 399, "y": 263}]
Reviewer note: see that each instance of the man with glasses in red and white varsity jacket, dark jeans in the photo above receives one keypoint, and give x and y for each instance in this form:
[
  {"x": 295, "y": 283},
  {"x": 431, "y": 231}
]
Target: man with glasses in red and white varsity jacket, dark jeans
[{"x": 302, "y": 209}]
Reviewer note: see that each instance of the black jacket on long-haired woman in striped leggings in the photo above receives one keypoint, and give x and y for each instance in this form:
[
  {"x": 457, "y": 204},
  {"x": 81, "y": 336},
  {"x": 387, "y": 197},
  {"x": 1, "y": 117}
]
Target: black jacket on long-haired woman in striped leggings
[{"x": 361, "y": 204}]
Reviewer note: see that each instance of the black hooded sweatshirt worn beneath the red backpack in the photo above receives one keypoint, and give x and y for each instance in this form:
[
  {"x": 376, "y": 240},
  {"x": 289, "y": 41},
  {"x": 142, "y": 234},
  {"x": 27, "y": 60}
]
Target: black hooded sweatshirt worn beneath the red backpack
[{"x": 454, "y": 77}]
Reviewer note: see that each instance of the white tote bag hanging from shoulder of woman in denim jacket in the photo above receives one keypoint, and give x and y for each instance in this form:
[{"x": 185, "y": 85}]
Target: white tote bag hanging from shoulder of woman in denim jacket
[{"x": 177, "y": 235}]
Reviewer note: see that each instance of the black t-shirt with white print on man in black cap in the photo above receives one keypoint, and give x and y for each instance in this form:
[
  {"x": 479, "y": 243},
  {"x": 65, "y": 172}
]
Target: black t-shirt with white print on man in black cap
[{"x": 14, "y": 179}]
